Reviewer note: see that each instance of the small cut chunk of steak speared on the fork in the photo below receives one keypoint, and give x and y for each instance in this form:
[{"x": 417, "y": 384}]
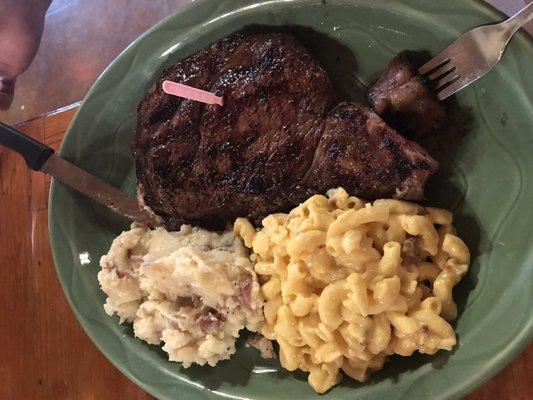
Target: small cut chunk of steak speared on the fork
[{"x": 403, "y": 100}]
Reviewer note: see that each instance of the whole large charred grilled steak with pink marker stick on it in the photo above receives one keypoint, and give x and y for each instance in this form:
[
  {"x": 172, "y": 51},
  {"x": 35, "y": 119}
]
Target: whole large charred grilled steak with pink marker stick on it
[{"x": 277, "y": 140}]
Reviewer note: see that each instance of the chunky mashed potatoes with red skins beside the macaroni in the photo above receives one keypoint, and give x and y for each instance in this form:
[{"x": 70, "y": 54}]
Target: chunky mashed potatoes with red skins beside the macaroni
[{"x": 193, "y": 290}]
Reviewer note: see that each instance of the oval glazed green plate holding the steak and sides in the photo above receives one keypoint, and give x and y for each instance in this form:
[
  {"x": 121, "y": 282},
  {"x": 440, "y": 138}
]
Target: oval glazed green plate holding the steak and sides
[{"x": 485, "y": 150}]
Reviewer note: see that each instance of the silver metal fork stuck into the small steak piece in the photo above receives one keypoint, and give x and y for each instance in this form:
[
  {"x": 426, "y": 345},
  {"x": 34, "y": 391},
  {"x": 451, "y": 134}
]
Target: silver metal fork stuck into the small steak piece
[{"x": 471, "y": 56}]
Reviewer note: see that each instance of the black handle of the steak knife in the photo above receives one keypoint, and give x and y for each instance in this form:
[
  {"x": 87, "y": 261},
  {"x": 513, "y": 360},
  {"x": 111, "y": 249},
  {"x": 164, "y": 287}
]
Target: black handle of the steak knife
[{"x": 35, "y": 153}]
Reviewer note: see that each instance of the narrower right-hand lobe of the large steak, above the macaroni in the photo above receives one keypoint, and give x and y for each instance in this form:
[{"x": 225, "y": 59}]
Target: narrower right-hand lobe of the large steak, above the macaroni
[{"x": 360, "y": 152}]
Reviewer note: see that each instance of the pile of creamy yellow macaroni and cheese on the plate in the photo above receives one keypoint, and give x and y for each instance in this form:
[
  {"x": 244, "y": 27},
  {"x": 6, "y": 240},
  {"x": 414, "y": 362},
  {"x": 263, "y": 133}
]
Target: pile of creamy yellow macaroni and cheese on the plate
[{"x": 348, "y": 284}]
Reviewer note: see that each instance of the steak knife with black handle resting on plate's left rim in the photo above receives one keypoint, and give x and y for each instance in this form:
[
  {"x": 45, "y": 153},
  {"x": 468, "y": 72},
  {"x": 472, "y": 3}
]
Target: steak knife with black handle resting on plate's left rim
[{"x": 40, "y": 157}]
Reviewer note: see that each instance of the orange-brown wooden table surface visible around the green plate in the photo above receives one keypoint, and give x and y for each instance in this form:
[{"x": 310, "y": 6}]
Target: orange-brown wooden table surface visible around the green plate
[{"x": 44, "y": 352}]
